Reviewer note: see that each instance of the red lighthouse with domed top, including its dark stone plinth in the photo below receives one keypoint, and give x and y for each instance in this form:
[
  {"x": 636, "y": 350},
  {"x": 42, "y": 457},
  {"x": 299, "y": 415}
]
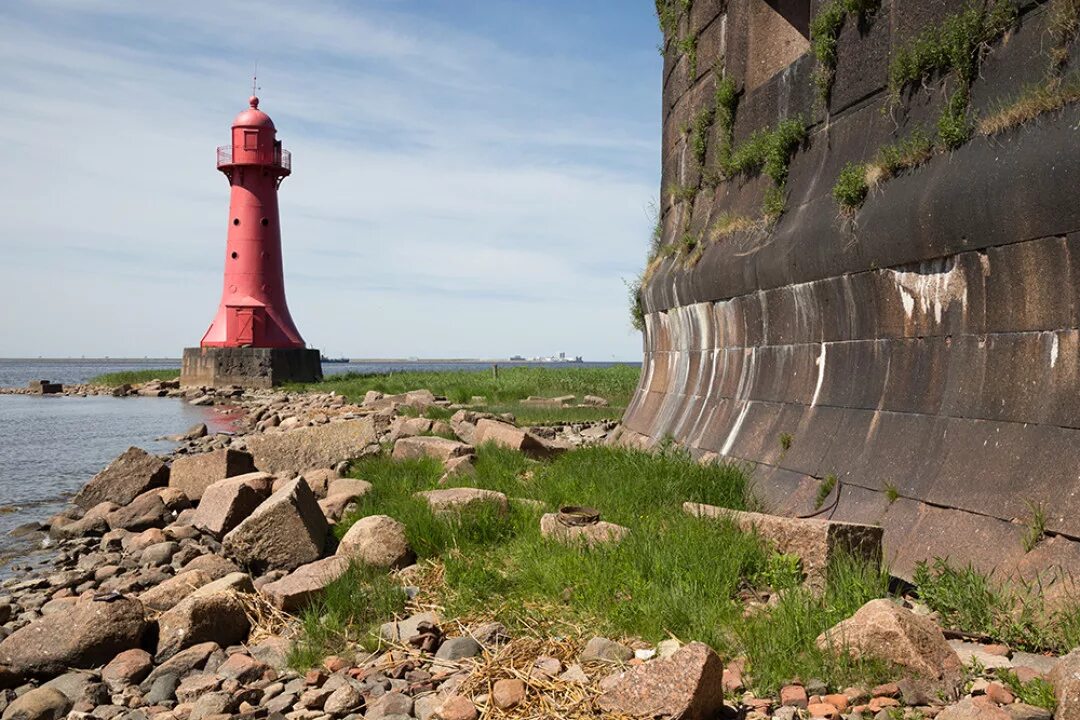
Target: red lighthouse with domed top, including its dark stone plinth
[{"x": 252, "y": 341}]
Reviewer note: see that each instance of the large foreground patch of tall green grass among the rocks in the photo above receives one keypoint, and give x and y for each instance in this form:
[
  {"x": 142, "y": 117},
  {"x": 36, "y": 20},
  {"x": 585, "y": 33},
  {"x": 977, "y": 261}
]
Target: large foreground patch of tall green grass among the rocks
[{"x": 673, "y": 576}]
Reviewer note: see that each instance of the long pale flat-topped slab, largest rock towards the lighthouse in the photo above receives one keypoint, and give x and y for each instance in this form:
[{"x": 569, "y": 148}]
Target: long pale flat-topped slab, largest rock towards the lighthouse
[{"x": 288, "y": 455}]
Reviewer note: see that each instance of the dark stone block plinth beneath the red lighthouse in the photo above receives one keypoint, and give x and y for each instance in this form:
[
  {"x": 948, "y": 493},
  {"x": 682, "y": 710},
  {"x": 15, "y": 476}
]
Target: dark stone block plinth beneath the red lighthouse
[{"x": 249, "y": 368}]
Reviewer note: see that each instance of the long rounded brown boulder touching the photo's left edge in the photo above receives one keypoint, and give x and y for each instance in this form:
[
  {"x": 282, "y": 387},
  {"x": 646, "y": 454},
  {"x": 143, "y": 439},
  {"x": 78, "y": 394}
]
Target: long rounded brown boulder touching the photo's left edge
[{"x": 88, "y": 635}]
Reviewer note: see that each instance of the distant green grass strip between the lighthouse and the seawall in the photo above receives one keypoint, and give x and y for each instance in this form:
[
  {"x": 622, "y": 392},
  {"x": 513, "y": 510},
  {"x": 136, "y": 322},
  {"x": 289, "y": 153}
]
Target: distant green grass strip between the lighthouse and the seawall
[{"x": 616, "y": 384}]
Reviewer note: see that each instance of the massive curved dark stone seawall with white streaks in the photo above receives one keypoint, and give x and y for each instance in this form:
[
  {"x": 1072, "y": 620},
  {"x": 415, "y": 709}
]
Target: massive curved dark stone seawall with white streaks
[{"x": 922, "y": 348}]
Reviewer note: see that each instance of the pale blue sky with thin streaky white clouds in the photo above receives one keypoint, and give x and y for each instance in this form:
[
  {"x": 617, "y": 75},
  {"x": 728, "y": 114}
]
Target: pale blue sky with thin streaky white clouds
[{"x": 470, "y": 179}]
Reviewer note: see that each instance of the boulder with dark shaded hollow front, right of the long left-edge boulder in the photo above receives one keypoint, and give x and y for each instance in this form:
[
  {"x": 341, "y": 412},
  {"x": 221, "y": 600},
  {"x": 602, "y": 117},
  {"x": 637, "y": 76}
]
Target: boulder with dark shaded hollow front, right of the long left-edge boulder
[{"x": 214, "y": 613}]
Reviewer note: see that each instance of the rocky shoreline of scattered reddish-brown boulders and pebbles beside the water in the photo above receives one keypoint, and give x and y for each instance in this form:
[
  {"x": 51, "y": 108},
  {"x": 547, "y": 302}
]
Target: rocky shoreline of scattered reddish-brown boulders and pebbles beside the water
[{"x": 177, "y": 581}]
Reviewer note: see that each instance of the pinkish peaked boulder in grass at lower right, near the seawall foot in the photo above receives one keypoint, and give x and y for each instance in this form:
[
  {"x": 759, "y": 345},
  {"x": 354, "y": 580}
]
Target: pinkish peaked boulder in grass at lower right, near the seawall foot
[{"x": 884, "y": 631}]
